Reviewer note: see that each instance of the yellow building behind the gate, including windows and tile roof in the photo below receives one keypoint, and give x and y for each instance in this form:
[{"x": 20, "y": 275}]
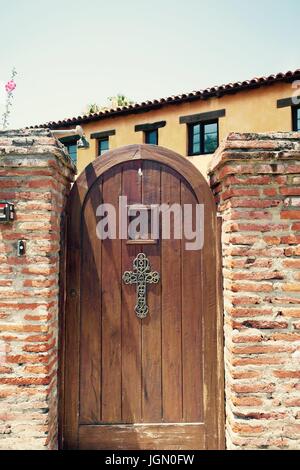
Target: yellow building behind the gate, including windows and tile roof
[{"x": 191, "y": 124}]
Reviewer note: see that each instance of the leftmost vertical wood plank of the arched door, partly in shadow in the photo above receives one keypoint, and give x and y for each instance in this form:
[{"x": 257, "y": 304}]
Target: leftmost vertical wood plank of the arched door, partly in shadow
[{"x": 90, "y": 339}]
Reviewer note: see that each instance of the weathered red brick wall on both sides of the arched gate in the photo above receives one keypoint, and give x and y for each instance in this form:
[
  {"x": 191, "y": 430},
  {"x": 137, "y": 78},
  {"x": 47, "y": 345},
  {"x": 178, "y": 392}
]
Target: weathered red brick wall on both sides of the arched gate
[{"x": 256, "y": 180}]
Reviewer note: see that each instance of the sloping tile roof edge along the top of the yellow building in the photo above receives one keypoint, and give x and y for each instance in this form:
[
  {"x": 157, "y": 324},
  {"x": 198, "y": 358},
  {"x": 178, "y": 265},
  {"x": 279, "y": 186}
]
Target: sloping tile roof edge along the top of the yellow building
[{"x": 216, "y": 91}]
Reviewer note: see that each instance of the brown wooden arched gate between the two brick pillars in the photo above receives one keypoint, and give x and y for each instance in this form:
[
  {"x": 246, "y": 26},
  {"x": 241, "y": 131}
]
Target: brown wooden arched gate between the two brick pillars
[{"x": 132, "y": 383}]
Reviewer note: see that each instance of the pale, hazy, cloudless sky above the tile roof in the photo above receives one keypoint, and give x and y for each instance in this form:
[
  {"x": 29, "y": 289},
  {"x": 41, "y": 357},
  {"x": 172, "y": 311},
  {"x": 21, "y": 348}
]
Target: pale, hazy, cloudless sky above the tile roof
[{"x": 70, "y": 53}]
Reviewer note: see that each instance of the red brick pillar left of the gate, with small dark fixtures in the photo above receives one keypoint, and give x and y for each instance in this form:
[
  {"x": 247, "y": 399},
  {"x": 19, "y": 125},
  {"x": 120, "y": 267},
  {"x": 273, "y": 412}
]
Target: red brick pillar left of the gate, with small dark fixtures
[{"x": 35, "y": 174}]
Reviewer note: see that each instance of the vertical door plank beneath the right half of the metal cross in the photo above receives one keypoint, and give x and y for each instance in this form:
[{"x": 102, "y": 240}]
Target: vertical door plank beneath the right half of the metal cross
[{"x": 151, "y": 326}]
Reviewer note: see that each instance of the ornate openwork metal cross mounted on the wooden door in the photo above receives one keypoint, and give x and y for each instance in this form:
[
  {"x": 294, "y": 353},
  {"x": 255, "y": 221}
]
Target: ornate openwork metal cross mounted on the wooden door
[{"x": 141, "y": 276}]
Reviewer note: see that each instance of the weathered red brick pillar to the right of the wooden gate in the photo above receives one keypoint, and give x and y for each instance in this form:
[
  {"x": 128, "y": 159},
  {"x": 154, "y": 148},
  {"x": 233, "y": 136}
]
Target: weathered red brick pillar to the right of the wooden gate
[{"x": 256, "y": 181}]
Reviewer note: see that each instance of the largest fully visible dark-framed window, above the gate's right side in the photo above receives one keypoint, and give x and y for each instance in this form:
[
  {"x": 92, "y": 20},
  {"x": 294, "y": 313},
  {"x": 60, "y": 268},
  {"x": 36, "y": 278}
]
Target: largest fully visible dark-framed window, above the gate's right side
[{"x": 203, "y": 137}]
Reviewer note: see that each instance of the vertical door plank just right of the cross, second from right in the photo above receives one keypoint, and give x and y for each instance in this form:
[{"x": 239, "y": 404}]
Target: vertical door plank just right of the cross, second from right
[{"x": 171, "y": 309}]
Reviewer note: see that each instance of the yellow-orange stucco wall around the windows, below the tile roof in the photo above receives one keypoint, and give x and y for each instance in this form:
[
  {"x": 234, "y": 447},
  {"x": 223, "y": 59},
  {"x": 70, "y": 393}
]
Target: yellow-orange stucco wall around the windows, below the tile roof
[{"x": 249, "y": 111}]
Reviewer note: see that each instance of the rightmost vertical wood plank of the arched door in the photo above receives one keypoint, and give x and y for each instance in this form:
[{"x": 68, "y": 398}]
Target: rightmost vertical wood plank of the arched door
[{"x": 192, "y": 314}]
